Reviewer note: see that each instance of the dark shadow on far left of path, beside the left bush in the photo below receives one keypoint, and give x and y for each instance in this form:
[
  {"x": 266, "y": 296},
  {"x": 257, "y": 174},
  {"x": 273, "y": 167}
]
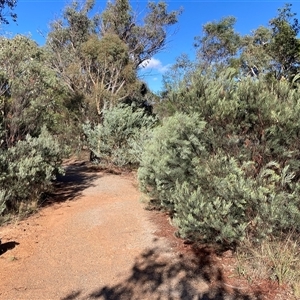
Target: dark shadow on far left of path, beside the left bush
[{"x": 78, "y": 177}]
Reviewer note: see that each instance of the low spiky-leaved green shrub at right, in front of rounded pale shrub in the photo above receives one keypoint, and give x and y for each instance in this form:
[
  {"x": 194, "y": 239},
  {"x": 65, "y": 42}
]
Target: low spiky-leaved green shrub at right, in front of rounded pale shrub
[{"x": 214, "y": 210}]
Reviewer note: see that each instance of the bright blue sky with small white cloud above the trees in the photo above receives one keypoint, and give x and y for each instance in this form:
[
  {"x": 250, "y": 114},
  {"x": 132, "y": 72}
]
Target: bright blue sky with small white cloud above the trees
[{"x": 35, "y": 16}]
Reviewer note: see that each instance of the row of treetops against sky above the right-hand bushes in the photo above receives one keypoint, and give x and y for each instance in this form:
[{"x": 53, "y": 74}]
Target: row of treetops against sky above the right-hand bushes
[{"x": 272, "y": 50}]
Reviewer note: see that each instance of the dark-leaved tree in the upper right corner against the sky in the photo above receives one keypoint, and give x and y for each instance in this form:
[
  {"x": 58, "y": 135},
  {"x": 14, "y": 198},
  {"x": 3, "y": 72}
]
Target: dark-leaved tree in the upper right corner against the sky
[{"x": 274, "y": 50}]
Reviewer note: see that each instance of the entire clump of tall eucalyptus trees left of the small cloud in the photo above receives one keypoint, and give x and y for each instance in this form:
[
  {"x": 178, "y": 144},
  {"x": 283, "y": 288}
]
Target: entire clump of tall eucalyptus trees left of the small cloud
[{"x": 97, "y": 56}]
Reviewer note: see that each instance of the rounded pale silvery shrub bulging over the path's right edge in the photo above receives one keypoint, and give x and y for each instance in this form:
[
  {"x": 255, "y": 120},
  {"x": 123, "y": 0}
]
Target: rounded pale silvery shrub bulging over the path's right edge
[{"x": 171, "y": 156}]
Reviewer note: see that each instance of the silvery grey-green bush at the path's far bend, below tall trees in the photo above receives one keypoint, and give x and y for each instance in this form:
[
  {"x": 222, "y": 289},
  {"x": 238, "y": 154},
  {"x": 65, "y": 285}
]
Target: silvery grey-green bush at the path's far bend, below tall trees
[{"x": 119, "y": 139}]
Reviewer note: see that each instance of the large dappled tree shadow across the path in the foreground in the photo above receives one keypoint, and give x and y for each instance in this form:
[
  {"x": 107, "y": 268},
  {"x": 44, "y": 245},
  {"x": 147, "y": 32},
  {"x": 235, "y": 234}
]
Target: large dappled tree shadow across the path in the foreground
[{"x": 157, "y": 275}]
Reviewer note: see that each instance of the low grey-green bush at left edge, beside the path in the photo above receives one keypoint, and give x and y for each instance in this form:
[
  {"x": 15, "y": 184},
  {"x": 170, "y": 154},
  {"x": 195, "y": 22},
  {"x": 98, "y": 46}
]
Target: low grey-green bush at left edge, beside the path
[{"x": 28, "y": 169}]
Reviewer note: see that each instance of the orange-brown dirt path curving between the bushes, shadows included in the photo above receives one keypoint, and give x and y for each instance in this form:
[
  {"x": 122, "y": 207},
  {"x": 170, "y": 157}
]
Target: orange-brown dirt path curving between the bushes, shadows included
[{"x": 97, "y": 242}]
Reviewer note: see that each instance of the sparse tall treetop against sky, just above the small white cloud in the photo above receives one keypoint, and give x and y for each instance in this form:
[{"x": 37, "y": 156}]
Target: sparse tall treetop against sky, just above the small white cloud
[{"x": 144, "y": 37}]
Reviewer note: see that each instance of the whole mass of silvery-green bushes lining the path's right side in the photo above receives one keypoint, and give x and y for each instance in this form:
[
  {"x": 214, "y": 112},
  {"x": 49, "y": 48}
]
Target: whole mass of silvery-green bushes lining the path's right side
[{"x": 215, "y": 197}]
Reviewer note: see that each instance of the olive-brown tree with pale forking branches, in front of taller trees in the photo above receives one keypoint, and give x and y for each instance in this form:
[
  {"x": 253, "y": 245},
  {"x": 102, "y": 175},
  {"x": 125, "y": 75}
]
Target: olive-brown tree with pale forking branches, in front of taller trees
[{"x": 108, "y": 71}]
